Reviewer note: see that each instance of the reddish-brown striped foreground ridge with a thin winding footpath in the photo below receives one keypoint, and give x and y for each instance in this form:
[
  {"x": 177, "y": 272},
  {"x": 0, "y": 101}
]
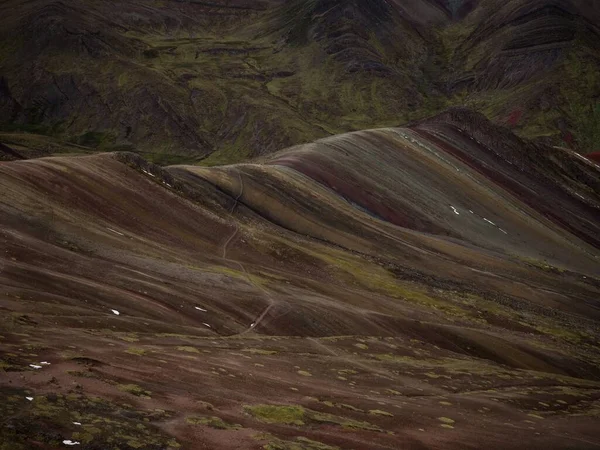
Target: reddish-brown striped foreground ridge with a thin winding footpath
[{"x": 428, "y": 286}]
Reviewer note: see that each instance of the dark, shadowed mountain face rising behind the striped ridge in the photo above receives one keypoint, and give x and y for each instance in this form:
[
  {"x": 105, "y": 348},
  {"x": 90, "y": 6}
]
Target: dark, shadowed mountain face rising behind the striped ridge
[{"x": 227, "y": 80}]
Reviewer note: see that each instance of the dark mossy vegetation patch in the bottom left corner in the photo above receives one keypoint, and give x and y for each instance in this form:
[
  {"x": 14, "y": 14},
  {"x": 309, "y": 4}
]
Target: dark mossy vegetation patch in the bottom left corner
[{"x": 104, "y": 424}]
